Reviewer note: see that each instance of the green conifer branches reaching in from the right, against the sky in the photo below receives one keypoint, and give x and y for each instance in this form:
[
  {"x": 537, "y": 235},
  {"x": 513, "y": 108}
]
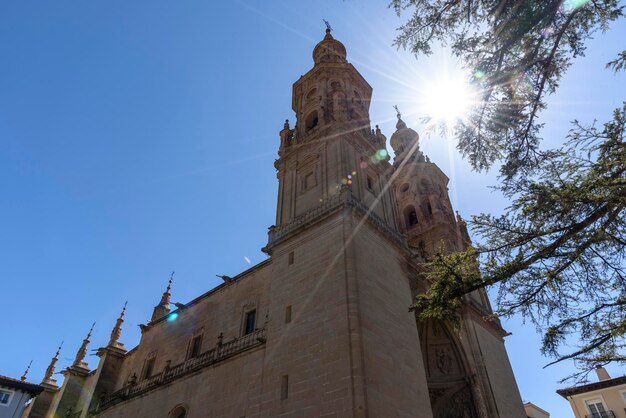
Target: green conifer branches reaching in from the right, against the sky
[{"x": 557, "y": 256}]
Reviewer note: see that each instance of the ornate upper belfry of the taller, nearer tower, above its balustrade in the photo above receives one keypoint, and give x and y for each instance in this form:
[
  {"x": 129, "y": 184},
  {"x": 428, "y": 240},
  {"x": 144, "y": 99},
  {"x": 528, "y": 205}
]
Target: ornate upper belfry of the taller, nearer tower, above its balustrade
[{"x": 332, "y": 144}]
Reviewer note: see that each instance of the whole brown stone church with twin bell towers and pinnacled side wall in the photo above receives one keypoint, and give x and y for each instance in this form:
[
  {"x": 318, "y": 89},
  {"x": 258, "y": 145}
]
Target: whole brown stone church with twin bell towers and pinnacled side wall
[{"x": 322, "y": 327}]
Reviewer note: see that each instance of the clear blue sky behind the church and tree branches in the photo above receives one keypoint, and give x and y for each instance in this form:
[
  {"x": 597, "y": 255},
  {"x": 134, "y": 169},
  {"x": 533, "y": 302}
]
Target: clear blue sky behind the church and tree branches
[{"x": 139, "y": 137}]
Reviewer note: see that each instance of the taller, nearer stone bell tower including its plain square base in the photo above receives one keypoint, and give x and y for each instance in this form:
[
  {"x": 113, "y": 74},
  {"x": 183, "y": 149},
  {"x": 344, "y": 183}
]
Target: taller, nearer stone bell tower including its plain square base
[{"x": 338, "y": 257}]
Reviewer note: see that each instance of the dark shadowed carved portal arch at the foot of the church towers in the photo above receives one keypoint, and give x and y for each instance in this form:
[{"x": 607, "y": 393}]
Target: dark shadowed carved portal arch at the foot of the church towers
[{"x": 449, "y": 382}]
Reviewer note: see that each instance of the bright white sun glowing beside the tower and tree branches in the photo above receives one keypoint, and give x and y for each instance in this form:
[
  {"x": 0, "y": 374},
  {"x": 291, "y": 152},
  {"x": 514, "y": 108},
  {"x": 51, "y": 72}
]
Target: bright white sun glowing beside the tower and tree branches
[{"x": 448, "y": 99}]
